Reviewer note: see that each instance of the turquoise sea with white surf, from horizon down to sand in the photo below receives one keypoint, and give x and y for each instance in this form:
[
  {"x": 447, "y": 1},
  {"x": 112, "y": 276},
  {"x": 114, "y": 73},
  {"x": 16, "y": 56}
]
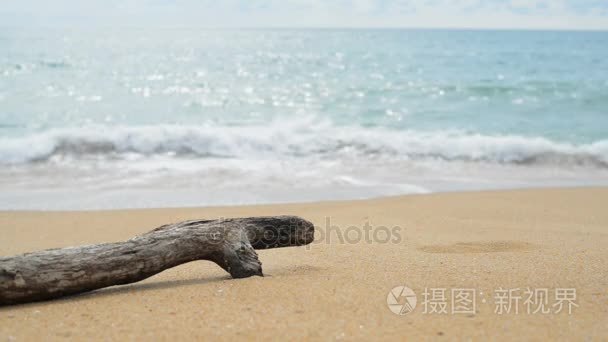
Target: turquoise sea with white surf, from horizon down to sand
[{"x": 106, "y": 118}]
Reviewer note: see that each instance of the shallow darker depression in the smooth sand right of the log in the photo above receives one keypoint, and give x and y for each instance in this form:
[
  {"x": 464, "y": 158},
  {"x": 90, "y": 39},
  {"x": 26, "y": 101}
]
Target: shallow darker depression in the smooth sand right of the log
[{"x": 480, "y": 247}]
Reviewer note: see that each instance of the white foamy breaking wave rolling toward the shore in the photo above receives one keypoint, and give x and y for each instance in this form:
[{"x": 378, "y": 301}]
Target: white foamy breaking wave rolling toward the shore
[{"x": 296, "y": 139}]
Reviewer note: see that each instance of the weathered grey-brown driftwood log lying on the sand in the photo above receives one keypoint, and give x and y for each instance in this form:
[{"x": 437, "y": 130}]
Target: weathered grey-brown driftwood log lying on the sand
[{"x": 230, "y": 243}]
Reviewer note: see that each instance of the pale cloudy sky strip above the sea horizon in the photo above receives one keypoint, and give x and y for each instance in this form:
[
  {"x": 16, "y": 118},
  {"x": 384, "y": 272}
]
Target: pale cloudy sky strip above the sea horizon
[{"x": 507, "y": 14}]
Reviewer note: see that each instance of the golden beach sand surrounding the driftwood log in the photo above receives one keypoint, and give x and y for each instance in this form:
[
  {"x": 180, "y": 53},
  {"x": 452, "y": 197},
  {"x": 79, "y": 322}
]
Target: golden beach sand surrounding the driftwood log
[{"x": 556, "y": 238}]
